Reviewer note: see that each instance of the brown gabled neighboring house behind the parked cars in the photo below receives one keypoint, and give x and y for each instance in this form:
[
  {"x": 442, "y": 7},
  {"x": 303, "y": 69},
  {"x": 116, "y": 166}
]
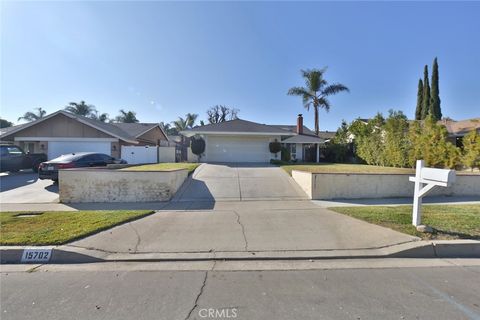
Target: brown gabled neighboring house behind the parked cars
[{"x": 63, "y": 132}]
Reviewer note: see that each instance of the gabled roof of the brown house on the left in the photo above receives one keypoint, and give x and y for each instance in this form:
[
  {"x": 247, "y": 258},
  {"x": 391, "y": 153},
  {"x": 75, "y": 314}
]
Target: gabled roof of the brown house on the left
[{"x": 124, "y": 131}]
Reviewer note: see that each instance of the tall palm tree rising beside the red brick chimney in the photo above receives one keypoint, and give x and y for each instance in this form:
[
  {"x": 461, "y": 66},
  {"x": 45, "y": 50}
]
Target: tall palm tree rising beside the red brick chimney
[{"x": 316, "y": 91}]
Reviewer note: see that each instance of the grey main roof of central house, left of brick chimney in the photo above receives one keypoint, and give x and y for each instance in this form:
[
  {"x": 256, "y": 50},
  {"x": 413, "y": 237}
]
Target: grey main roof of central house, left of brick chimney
[{"x": 237, "y": 126}]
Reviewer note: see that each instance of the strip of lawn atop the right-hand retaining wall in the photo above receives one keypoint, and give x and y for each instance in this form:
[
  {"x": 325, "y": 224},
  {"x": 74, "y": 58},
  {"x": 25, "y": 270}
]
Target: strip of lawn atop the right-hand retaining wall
[{"x": 324, "y": 167}]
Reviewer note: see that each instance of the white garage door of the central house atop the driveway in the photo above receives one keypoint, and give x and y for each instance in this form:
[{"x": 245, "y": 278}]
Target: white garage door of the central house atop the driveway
[{"x": 237, "y": 149}]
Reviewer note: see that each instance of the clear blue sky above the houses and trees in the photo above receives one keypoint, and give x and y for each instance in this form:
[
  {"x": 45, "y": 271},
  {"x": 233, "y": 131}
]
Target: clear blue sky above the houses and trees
[{"x": 163, "y": 60}]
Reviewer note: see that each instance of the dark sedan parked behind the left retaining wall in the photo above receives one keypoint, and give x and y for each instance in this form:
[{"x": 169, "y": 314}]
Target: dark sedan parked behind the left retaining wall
[{"x": 49, "y": 169}]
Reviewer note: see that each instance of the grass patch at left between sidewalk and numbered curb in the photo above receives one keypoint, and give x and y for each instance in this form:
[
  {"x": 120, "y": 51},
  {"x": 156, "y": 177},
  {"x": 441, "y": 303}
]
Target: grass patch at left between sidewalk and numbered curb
[{"x": 52, "y": 228}]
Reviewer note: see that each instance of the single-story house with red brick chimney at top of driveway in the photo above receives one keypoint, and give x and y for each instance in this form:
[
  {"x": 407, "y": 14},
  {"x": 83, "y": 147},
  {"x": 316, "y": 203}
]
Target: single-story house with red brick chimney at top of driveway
[{"x": 246, "y": 141}]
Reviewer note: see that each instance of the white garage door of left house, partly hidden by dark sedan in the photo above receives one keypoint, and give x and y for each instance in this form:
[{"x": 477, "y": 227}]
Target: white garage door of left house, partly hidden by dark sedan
[{"x": 57, "y": 148}]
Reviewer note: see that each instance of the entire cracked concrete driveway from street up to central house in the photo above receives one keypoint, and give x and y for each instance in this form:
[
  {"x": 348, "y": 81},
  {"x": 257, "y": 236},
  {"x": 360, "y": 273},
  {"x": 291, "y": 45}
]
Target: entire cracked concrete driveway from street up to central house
[{"x": 240, "y": 208}]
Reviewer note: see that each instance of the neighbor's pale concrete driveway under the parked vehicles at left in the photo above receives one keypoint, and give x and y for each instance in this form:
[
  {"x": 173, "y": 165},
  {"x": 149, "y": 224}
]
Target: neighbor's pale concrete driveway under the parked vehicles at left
[{"x": 25, "y": 187}]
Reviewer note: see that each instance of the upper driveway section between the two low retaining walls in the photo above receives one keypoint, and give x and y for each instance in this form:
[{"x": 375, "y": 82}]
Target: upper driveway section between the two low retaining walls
[{"x": 248, "y": 181}]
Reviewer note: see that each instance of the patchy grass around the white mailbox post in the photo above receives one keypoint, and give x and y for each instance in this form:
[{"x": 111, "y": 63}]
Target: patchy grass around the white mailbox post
[{"x": 449, "y": 221}]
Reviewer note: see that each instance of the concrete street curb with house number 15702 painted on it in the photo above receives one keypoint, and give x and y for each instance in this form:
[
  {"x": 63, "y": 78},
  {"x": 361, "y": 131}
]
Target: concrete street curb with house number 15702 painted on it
[{"x": 417, "y": 249}]
